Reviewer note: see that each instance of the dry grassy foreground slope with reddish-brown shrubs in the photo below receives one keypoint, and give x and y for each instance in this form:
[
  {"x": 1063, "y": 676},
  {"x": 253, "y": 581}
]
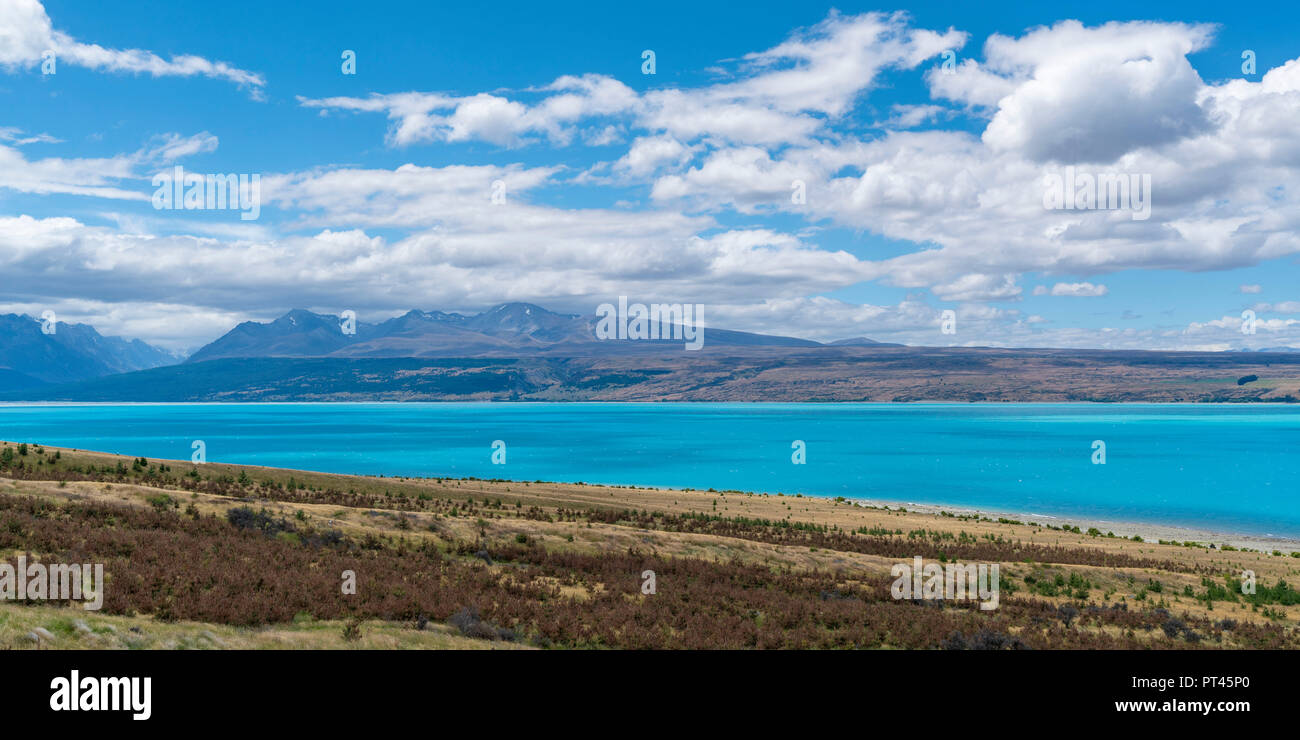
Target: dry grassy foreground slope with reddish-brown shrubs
[{"x": 220, "y": 556}]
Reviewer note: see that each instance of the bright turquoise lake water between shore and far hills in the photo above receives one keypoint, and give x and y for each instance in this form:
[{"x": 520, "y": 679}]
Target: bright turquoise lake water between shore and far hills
[{"x": 1230, "y": 469}]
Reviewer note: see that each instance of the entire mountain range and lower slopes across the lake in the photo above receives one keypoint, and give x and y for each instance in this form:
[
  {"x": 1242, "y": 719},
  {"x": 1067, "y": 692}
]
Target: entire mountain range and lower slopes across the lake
[{"x": 519, "y": 352}]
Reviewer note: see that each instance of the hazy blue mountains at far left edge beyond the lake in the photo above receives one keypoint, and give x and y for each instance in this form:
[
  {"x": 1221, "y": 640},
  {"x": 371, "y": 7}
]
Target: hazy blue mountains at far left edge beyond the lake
[{"x": 72, "y": 353}]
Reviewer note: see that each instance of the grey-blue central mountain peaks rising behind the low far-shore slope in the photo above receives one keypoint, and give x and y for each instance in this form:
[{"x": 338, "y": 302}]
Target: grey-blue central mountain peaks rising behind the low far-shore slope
[{"x": 508, "y": 331}]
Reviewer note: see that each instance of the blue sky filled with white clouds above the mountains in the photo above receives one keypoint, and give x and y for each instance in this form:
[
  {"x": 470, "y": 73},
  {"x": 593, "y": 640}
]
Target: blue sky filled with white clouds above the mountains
[{"x": 921, "y": 136}]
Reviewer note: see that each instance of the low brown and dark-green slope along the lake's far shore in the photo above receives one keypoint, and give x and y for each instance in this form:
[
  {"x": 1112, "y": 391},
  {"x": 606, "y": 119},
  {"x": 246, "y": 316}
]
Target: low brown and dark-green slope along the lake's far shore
[{"x": 818, "y": 374}]
